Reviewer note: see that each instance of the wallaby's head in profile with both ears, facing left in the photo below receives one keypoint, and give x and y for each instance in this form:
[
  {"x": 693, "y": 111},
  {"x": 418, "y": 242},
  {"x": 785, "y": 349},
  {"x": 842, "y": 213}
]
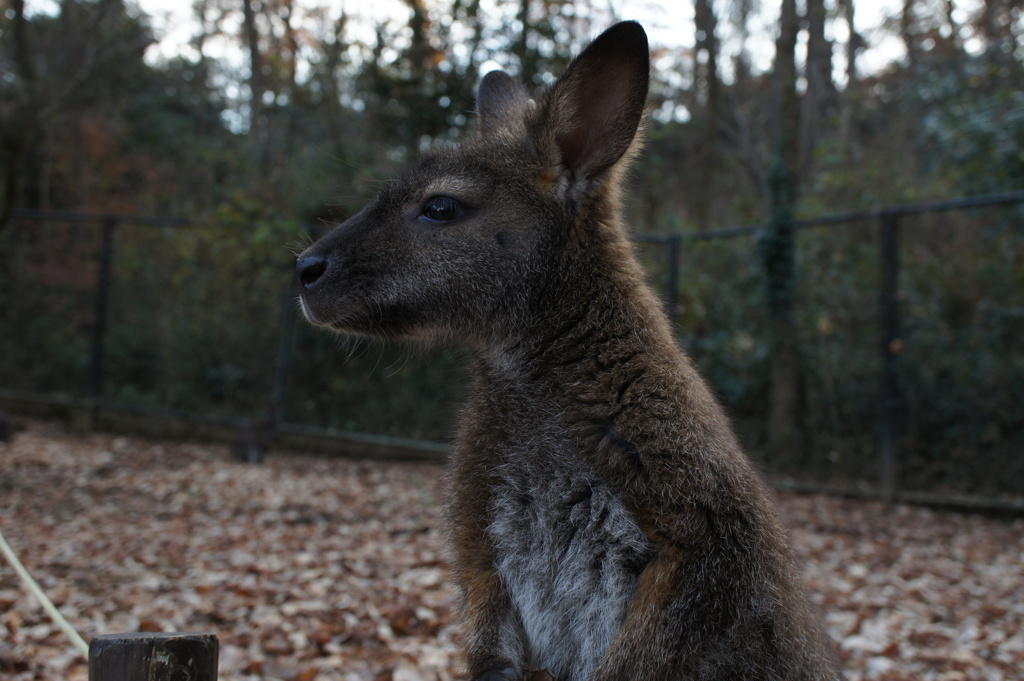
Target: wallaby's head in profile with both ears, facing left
[{"x": 471, "y": 242}]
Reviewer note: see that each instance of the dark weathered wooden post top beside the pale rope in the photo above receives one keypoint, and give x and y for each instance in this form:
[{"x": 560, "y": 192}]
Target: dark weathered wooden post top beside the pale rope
[{"x": 147, "y": 657}]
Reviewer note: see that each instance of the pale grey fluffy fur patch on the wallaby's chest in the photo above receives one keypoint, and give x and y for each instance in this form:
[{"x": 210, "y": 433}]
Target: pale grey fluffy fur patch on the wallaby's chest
[{"x": 570, "y": 555}]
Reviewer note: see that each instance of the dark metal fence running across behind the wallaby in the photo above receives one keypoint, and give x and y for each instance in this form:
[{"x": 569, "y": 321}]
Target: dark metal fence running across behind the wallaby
[{"x": 172, "y": 332}]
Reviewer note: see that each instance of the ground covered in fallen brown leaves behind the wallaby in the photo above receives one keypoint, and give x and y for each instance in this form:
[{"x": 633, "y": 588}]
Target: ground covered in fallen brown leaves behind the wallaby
[{"x": 312, "y": 569}]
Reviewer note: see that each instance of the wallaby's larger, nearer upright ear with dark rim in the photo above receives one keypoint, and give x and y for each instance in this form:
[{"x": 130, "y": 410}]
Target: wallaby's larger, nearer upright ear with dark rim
[{"x": 599, "y": 103}]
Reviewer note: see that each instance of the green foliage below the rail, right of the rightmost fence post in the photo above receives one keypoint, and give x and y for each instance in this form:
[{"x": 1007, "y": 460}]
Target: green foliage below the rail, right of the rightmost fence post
[{"x": 963, "y": 371}]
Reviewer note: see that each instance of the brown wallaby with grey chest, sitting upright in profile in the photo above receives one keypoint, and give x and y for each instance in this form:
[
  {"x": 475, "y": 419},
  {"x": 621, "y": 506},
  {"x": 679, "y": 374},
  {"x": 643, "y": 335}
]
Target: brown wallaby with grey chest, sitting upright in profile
[{"x": 604, "y": 522}]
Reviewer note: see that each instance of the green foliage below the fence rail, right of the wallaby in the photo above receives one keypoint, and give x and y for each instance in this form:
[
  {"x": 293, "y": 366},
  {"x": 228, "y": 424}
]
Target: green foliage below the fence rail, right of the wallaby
[{"x": 962, "y": 371}]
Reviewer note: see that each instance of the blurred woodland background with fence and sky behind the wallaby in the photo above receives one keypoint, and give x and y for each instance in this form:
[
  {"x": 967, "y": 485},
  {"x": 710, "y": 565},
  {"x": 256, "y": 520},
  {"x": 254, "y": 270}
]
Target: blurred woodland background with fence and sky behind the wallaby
[{"x": 830, "y": 203}]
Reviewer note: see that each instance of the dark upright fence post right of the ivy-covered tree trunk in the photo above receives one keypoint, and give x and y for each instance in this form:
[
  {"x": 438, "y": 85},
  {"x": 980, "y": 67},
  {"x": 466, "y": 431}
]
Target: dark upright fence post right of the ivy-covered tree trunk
[{"x": 892, "y": 346}]
